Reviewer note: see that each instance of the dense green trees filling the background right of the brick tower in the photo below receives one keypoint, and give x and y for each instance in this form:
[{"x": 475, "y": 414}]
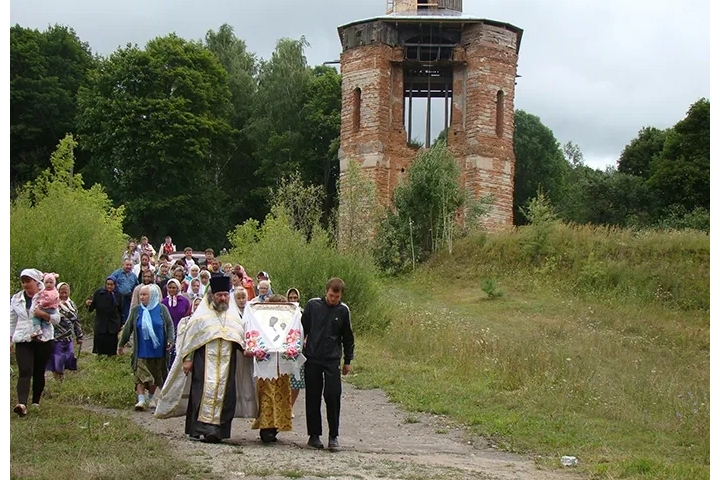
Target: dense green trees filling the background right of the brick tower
[{"x": 662, "y": 177}]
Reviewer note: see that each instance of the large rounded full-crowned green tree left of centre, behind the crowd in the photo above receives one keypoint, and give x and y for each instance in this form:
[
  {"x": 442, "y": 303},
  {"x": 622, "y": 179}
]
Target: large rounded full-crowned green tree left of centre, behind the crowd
[{"x": 157, "y": 124}]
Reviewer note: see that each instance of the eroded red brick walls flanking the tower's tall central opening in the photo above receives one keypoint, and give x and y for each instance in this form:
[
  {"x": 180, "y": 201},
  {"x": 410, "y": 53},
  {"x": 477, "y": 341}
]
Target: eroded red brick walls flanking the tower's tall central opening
[{"x": 485, "y": 63}]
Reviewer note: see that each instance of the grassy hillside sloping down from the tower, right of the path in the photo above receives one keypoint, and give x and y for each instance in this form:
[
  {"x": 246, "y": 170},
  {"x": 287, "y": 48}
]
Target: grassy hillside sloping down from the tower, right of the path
[{"x": 598, "y": 347}]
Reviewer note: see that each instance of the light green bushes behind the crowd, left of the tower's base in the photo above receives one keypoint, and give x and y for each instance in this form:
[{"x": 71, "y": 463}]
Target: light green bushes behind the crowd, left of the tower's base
[{"x": 294, "y": 261}]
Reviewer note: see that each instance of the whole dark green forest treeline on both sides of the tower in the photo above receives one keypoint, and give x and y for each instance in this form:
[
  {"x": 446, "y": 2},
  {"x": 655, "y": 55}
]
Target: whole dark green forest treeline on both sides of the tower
[{"x": 192, "y": 136}]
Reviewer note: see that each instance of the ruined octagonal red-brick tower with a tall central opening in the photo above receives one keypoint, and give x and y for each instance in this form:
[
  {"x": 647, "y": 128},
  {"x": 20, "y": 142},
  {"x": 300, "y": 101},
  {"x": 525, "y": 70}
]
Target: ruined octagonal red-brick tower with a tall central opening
[{"x": 422, "y": 50}]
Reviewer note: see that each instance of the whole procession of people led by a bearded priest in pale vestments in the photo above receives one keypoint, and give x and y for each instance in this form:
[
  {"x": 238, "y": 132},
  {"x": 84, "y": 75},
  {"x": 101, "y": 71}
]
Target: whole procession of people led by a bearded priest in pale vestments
[{"x": 193, "y": 353}]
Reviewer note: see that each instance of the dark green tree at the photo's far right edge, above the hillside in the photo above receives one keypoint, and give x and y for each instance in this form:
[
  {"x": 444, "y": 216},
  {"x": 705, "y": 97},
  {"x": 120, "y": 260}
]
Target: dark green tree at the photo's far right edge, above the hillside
[{"x": 681, "y": 173}]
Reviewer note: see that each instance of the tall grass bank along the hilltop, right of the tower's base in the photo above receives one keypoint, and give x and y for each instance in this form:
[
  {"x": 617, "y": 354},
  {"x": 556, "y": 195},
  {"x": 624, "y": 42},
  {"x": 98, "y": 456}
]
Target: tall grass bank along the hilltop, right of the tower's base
[{"x": 652, "y": 267}]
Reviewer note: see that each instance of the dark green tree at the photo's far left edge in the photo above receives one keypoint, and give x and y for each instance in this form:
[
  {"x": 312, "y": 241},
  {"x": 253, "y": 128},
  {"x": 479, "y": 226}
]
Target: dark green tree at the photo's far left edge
[{"x": 46, "y": 70}]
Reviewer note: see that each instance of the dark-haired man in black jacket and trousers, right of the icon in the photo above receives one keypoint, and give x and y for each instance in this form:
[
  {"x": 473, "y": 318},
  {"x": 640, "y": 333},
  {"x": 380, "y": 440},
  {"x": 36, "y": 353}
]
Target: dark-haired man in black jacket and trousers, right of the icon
[{"x": 328, "y": 331}]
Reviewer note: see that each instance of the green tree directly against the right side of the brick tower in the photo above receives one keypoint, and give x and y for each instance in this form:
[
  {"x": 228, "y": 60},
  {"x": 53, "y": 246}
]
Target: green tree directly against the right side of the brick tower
[{"x": 539, "y": 163}]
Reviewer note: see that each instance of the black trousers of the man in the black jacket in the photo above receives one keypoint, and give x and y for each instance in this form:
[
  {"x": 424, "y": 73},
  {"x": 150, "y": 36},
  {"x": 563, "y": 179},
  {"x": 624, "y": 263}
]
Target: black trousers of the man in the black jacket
[{"x": 322, "y": 380}]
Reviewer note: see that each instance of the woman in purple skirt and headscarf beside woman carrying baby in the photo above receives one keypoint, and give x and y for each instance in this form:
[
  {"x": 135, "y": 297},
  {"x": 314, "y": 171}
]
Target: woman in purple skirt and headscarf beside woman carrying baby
[{"x": 63, "y": 353}]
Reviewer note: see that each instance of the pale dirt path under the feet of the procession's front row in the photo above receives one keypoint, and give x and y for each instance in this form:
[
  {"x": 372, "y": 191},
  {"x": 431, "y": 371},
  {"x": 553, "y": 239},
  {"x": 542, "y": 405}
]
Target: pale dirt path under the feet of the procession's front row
[{"x": 379, "y": 441}]
